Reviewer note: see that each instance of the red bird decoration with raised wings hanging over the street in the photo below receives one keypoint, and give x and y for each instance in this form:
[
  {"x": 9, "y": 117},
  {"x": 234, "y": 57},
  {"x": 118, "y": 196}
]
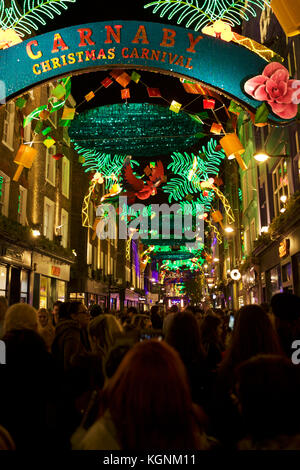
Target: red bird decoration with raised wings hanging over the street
[{"x": 136, "y": 186}]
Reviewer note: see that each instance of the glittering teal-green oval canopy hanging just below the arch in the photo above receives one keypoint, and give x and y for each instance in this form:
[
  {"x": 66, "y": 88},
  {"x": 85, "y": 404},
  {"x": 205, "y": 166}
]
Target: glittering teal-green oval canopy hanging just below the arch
[{"x": 138, "y": 129}]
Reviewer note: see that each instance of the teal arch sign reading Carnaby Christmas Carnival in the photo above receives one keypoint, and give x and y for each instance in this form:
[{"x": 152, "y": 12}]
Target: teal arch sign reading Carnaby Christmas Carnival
[{"x": 224, "y": 66}]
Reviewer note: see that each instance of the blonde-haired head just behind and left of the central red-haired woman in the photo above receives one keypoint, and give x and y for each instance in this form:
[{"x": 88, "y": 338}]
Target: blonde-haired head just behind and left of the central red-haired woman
[{"x": 103, "y": 332}]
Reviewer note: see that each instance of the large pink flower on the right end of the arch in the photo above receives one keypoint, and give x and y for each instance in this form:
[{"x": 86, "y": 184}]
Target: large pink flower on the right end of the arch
[{"x": 275, "y": 87}]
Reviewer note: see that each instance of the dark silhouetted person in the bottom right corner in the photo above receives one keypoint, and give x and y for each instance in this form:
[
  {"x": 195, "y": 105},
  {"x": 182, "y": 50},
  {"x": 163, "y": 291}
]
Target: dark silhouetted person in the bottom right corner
[{"x": 268, "y": 390}]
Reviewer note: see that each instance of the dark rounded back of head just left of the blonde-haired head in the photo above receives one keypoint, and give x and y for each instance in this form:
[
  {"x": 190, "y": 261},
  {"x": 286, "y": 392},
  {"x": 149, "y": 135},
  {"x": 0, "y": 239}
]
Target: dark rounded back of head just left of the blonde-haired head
[{"x": 69, "y": 343}]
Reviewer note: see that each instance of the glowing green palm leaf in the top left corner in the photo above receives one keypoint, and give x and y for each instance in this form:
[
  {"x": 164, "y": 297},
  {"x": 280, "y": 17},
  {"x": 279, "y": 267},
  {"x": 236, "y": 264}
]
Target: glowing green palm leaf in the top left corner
[{"x": 34, "y": 12}]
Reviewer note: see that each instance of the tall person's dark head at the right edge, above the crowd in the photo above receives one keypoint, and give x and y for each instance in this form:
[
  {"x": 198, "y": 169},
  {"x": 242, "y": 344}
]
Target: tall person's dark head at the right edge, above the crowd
[{"x": 286, "y": 310}]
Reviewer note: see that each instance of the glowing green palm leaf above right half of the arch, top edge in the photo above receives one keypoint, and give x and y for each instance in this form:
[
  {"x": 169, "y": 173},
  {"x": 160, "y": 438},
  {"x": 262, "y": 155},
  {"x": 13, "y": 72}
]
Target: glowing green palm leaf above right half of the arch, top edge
[{"x": 199, "y": 13}]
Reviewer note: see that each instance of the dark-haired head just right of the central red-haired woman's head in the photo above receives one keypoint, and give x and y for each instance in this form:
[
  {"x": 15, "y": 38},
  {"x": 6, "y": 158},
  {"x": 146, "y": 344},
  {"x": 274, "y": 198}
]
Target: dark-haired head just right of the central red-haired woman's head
[{"x": 183, "y": 334}]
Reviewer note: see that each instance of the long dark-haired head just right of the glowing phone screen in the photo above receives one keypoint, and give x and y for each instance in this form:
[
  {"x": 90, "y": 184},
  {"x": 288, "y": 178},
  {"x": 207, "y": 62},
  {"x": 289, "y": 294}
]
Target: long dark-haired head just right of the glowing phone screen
[{"x": 253, "y": 334}]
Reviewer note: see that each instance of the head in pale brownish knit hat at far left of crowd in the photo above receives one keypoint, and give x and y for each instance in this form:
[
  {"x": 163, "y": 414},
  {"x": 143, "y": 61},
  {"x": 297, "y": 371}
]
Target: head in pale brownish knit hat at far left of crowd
[{"x": 19, "y": 317}]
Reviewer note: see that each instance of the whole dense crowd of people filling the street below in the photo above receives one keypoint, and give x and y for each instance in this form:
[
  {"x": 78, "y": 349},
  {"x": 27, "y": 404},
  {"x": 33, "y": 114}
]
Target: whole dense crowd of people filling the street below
[{"x": 83, "y": 379}]
